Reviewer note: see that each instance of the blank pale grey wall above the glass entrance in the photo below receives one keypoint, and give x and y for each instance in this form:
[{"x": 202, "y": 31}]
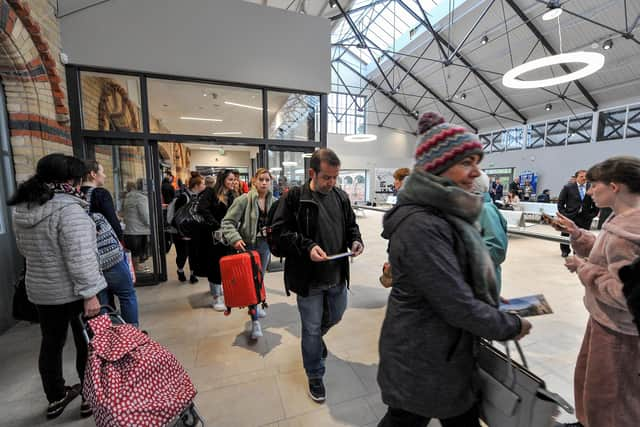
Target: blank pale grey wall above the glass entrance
[{"x": 227, "y": 40}]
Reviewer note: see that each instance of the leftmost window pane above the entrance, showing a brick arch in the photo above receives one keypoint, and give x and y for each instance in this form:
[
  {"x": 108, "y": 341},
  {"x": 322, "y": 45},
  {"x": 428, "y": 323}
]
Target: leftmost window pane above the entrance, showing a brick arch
[{"x": 110, "y": 102}]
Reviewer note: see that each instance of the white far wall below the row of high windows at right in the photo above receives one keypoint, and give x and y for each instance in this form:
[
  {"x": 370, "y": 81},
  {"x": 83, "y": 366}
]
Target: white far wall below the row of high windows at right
[{"x": 554, "y": 165}]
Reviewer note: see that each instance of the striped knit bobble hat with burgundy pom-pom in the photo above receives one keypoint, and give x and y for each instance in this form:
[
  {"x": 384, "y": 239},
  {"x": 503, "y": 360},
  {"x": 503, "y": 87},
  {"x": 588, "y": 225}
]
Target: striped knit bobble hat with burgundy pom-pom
[{"x": 441, "y": 145}]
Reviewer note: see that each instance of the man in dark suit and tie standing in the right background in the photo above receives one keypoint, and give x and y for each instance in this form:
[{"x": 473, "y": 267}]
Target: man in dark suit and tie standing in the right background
[{"x": 577, "y": 205}]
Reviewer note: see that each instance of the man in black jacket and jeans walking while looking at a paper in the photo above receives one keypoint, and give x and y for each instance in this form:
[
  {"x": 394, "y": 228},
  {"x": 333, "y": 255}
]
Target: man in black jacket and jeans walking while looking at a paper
[{"x": 310, "y": 224}]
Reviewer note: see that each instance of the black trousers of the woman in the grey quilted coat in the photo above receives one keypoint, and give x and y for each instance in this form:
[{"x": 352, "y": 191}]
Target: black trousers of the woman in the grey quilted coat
[{"x": 54, "y": 325}]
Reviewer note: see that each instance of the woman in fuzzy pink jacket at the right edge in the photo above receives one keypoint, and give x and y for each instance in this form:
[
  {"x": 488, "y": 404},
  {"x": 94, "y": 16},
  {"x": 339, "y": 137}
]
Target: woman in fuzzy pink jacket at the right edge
[{"x": 607, "y": 376}]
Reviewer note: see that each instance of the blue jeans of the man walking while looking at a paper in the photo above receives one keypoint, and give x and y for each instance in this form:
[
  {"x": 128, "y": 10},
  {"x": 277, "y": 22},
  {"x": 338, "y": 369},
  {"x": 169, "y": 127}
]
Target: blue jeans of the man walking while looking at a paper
[{"x": 319, "y": 311}]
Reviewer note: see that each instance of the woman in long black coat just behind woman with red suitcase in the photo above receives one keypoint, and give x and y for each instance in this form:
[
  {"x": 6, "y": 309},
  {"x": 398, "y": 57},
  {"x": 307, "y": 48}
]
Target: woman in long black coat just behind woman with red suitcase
[{"x": 210, "y": 245}]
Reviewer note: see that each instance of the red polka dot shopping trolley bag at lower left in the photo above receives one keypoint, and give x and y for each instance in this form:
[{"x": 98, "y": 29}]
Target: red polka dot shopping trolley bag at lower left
[{"x": 131, "y": 380}]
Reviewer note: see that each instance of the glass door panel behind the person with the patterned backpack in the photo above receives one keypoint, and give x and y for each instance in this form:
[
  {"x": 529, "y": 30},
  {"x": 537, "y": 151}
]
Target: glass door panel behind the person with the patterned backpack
[{"x": 131, "y": 179}]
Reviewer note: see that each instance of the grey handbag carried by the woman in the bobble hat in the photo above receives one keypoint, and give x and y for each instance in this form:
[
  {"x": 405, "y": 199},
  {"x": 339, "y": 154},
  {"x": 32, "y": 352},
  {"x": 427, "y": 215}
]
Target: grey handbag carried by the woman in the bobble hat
[{"x": 512, "y": 395}]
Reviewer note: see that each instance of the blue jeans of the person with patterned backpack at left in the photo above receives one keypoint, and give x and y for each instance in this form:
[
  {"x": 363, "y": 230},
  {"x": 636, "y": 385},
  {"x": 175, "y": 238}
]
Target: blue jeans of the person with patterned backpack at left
[{"x": 119, "y": 283}]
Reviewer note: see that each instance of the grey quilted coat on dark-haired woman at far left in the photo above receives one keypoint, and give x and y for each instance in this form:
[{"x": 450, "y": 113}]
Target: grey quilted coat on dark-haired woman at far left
[{"x": 58, "y": 239}]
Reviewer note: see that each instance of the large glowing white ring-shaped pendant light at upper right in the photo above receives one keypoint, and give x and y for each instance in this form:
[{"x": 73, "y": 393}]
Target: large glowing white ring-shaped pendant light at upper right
[{"x": 593, "y": 62}]
